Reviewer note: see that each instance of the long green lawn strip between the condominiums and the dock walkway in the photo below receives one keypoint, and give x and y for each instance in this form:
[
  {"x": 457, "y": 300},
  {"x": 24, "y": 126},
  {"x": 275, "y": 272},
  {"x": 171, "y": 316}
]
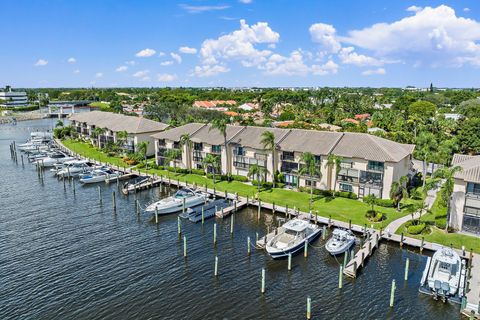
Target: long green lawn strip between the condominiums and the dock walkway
[{"x": 338, "y": 208}]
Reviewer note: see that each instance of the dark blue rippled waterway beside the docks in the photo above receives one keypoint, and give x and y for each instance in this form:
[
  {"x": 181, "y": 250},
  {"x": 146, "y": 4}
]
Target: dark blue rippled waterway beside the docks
[{"x": 65, "y": 256}]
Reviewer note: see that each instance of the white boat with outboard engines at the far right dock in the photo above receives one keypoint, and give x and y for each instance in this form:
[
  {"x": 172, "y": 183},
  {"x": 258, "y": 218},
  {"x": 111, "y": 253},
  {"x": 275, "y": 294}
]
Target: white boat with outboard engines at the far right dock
[{"x": 444, "y": 275}]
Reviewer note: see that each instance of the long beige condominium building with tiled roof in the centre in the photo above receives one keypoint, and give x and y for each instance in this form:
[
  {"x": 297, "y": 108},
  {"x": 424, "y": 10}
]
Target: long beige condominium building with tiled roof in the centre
[{"x": 369, "y": 164}]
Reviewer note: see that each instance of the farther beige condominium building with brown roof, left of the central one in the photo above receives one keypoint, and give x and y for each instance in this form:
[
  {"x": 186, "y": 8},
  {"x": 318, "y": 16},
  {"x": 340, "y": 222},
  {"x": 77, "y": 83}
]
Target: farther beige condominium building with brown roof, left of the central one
[{"x": 137, "y": 129}]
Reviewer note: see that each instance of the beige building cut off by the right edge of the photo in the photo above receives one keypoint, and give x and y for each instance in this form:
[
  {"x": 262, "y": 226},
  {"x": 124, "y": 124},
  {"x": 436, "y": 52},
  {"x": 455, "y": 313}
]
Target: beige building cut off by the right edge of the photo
[{"x": 465, "y": 202}]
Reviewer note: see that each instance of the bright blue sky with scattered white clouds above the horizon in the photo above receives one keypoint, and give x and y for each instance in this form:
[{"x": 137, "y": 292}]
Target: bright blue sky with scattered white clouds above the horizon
[{"x": 105, "y": 43}]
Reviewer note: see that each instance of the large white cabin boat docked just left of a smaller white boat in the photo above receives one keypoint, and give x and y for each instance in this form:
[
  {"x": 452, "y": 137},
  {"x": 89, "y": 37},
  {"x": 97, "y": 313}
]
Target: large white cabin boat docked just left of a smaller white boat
[{"x": 292, "y": 236}]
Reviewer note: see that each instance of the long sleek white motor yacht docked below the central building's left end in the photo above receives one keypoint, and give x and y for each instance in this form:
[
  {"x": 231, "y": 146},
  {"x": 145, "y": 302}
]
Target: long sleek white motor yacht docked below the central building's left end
[{"x": 176, "y": 202}]
